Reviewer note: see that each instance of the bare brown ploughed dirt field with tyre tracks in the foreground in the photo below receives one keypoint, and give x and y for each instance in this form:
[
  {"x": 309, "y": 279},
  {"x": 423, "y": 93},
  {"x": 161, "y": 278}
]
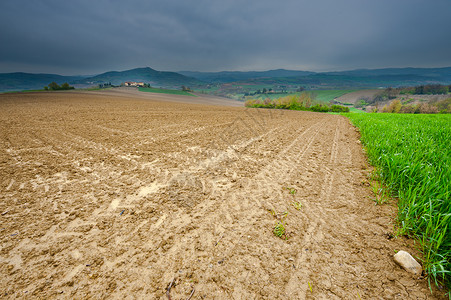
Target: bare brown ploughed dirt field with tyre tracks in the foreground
[{"x": 104, "y": 196}]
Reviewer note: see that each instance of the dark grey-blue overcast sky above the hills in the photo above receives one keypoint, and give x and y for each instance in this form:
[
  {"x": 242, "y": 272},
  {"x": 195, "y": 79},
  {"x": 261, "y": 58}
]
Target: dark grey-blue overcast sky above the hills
[{"x": 89, "y": 37}]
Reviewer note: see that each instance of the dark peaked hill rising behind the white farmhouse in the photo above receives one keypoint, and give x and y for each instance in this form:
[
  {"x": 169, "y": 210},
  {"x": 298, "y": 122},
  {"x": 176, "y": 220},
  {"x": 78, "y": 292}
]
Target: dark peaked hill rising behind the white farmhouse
[{"x": 146, "y": 75}]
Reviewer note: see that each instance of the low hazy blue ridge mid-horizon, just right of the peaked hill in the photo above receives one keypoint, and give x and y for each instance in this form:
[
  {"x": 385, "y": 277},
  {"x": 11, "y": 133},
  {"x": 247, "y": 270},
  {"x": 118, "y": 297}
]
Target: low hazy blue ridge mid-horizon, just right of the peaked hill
[{"x": 232, "y": 76}]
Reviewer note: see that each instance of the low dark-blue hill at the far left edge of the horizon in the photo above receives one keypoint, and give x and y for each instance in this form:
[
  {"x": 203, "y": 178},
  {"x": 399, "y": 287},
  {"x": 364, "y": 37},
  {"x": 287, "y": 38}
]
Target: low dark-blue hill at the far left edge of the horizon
[{"x": 26, "y": 81}]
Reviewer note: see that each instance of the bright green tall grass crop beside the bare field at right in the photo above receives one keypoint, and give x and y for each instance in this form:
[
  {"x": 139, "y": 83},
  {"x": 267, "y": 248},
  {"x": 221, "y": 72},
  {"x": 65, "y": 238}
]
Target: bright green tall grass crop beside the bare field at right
[{"x": 412, "y": 156}]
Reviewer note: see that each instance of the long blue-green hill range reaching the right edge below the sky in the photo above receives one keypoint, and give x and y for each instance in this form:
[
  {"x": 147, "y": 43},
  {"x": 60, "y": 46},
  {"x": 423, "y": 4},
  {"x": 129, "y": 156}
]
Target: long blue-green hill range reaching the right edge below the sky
[{"x": 354, "y": 79}]
